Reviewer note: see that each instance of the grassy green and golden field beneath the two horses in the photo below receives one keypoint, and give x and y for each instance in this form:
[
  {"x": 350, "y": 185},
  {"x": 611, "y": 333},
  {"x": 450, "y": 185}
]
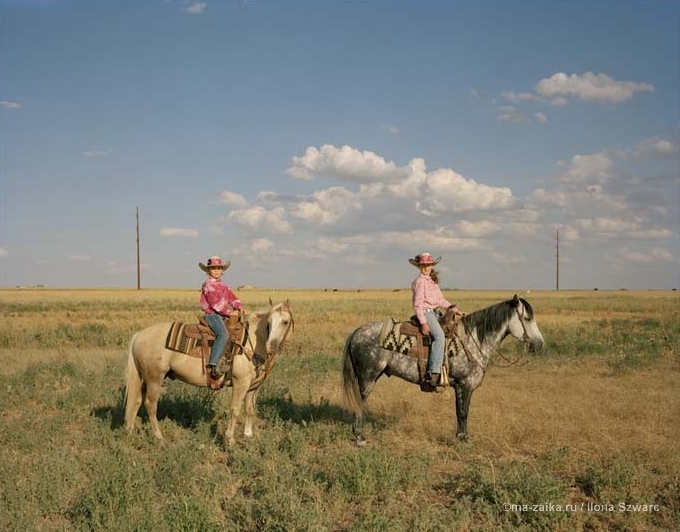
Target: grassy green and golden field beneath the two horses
[{"x": 582, "y": 436}]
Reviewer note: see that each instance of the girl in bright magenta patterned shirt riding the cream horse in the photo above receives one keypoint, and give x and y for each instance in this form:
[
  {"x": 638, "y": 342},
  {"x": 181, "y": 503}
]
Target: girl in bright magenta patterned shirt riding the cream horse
[{"x": 218, "y": 302}]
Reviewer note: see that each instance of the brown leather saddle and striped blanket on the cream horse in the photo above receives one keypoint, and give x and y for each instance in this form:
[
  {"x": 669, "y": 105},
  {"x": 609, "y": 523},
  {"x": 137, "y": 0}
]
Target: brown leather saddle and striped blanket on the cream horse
[{"x": 196, "y": 339}]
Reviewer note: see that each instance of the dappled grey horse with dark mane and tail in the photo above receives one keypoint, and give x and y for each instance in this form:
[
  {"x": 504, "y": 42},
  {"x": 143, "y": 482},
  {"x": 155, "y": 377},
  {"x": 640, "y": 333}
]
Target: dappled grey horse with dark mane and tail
[{"x": 365, "y": 361}]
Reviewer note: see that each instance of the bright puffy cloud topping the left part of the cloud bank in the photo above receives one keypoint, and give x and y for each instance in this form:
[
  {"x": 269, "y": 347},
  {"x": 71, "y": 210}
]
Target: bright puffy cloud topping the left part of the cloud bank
[{"x": 344, "y": 163}]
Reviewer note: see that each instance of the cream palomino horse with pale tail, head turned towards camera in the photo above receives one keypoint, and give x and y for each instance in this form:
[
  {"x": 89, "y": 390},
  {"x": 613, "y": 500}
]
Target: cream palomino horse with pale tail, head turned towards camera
[{"x": 149, "y": 362}]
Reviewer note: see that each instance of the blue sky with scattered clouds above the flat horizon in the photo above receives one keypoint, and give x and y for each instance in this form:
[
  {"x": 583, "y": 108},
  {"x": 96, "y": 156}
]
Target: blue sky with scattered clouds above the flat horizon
[{"x": 322, "y": 144}]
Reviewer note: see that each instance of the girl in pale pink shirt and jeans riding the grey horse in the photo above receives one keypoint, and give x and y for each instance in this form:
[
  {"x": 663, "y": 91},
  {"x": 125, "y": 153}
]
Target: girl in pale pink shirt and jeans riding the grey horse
[{"x": 427, "y": 297}]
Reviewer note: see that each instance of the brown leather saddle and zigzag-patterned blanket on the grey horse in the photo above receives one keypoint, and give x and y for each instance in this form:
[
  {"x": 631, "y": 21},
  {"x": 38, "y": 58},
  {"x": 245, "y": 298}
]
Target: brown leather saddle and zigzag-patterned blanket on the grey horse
[{"x": 405, "y": 337}]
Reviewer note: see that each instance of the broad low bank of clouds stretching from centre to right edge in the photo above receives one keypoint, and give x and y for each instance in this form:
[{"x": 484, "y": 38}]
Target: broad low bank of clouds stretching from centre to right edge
[{"x": 395, "y": 209}]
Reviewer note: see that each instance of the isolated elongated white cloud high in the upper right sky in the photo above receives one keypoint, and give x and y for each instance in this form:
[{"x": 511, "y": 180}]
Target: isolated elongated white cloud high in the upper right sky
[{"x": 590, "y": 87}]
